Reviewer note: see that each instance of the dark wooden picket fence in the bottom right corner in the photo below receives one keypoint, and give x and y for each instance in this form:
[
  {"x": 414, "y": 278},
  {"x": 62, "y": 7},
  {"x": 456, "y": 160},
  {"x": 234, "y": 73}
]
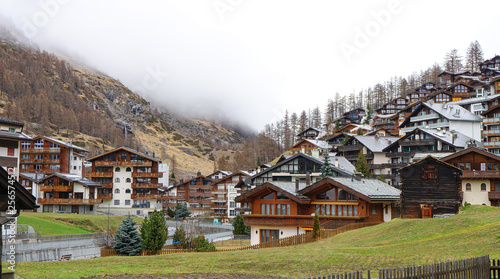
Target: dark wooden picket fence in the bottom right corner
[{"x": 474, "y": 268}]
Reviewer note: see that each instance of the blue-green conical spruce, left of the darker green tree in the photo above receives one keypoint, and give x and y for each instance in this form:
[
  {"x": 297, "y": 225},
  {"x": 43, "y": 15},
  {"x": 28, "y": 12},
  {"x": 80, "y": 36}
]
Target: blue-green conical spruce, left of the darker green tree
[{"x": 128, "y": 242}]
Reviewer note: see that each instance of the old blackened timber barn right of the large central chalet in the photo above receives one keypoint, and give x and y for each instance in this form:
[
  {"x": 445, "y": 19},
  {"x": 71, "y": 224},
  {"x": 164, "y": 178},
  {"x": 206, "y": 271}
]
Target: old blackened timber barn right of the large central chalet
[{"x": 429, "y": 187}]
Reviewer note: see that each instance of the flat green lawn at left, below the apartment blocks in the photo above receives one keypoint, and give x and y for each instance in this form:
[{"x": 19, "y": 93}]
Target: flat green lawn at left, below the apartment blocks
[{"x": 58, "y": 223}]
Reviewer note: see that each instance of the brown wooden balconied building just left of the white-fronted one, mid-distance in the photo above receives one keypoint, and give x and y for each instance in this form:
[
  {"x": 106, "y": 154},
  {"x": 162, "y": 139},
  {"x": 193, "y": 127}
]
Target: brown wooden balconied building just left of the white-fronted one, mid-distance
[{"x": 197, "y": 192}]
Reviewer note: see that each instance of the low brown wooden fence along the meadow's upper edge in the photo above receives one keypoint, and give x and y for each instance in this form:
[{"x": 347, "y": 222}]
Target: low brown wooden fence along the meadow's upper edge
[{"x": 283, "y": 242}]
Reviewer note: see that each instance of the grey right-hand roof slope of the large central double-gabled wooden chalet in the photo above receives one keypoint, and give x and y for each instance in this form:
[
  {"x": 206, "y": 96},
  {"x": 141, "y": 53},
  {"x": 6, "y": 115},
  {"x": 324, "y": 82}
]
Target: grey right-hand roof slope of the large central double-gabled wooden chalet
[{"x": 372, "y": 188}]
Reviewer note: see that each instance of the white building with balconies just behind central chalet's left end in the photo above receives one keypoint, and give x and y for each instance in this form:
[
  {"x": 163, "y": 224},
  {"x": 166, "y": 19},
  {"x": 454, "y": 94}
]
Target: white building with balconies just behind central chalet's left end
[{"x": 224, "y": 193}]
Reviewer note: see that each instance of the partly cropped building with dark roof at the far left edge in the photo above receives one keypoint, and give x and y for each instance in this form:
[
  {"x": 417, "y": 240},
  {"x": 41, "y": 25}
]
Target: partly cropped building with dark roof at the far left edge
[{"x": 11, "y": 136}]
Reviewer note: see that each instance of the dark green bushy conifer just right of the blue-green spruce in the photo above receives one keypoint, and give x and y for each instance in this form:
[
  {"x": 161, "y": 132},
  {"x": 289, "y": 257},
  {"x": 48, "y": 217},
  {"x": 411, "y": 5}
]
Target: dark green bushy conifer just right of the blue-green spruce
[{"x": 154, "y": 232}]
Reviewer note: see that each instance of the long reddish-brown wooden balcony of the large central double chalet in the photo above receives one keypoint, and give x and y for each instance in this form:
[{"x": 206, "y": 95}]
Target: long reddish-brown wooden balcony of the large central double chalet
[{"x": 292, "y": 220}]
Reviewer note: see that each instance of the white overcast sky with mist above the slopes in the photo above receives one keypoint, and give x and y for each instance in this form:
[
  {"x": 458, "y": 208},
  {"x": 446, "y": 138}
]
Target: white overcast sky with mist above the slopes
[{"x": 250, "y": 60}]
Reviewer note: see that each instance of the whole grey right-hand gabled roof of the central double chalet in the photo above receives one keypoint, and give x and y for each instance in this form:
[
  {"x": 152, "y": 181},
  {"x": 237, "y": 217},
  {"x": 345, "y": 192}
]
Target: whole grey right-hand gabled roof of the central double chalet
[{"x": 368, "y": 189}]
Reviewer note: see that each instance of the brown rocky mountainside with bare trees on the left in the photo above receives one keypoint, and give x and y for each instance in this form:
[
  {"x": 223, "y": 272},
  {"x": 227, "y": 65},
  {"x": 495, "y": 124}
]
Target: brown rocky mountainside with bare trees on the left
[{"x": 71, "y": 102}]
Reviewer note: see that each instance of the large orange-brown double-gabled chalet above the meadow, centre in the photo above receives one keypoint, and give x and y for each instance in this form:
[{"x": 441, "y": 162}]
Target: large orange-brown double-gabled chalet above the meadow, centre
[{"x": 282, "y": 209}]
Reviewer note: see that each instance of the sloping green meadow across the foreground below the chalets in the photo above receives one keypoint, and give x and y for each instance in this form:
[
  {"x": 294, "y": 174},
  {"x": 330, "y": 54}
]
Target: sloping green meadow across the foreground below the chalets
[{"x": 397, "y": 243}]
